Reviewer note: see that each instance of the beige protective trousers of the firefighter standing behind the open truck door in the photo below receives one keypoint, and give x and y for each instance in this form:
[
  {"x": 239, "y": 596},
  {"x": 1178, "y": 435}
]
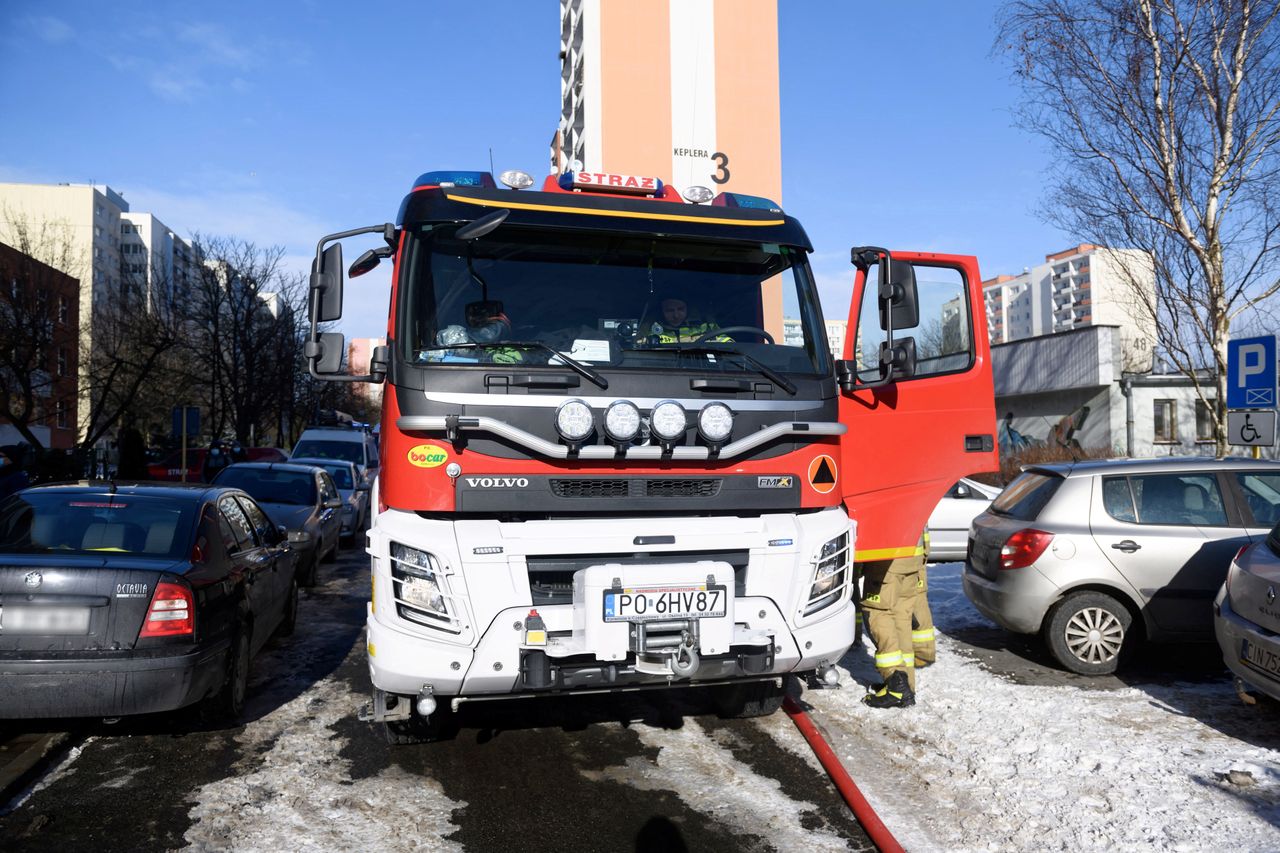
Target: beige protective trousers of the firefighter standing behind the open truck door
[{"x": 890, "y": 590}]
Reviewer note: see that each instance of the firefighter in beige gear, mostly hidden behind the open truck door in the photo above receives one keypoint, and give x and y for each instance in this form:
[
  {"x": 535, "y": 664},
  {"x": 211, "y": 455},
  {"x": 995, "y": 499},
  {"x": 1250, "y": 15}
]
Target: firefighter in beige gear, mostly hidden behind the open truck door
[{"x": 892, "y": 595}]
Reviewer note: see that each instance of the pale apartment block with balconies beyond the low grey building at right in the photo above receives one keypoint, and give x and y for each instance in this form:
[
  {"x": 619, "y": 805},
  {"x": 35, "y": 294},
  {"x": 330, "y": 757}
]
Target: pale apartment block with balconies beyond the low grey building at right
[{"x": 1075, "y": 289}]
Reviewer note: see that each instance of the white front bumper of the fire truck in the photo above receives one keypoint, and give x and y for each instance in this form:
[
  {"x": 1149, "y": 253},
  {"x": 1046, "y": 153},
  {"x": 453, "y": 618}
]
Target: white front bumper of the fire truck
[{"x": 490, "y": 596}]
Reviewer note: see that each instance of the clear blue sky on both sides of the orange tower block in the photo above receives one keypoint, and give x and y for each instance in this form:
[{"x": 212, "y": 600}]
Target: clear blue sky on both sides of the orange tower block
[{"x": 284, "y": 122}]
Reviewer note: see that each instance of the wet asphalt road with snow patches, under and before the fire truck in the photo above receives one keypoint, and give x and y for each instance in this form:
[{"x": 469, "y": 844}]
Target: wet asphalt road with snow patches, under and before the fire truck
[{"x": 648, "y": 772}]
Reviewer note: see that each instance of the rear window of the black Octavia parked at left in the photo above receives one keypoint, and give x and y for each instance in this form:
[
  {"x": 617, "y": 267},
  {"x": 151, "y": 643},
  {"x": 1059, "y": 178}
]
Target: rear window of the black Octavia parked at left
[{"x": 97, "y": 524}]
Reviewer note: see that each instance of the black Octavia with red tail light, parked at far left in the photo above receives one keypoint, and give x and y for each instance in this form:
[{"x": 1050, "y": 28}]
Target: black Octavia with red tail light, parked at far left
[{"x": 136, "y": 599}]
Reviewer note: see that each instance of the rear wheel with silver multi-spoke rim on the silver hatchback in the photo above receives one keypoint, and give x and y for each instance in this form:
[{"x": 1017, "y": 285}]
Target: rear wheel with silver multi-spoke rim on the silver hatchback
[{"x": 1087, "y": 633}]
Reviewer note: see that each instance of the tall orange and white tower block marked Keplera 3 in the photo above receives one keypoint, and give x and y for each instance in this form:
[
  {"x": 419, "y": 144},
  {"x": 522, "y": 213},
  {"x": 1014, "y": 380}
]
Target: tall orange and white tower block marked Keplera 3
[{"x": 685, "y": 90}]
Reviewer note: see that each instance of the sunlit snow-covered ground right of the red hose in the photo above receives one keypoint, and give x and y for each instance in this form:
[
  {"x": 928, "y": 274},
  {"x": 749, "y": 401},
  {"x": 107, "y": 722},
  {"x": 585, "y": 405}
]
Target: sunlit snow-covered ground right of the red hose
[{"x": 982, "y": 764}]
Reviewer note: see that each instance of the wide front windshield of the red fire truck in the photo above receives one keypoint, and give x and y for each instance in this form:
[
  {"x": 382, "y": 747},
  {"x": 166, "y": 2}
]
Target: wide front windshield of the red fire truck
[{"x": 611, "y": 302}]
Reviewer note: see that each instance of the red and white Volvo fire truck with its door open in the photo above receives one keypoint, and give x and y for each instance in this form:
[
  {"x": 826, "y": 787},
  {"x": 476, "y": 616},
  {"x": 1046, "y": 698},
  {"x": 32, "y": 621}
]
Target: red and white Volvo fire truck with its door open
[{"x": 616, "y": 449}]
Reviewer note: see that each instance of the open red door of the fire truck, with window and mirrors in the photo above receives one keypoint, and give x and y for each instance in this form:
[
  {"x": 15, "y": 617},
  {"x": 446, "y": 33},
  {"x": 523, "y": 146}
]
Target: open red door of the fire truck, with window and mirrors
[{"x": 917, "y": 394}]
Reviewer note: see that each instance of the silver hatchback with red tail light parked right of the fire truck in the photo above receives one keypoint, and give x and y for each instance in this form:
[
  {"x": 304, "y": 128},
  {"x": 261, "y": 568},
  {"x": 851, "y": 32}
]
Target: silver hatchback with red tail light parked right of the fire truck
[{"x": 1101, "y": 553}]
